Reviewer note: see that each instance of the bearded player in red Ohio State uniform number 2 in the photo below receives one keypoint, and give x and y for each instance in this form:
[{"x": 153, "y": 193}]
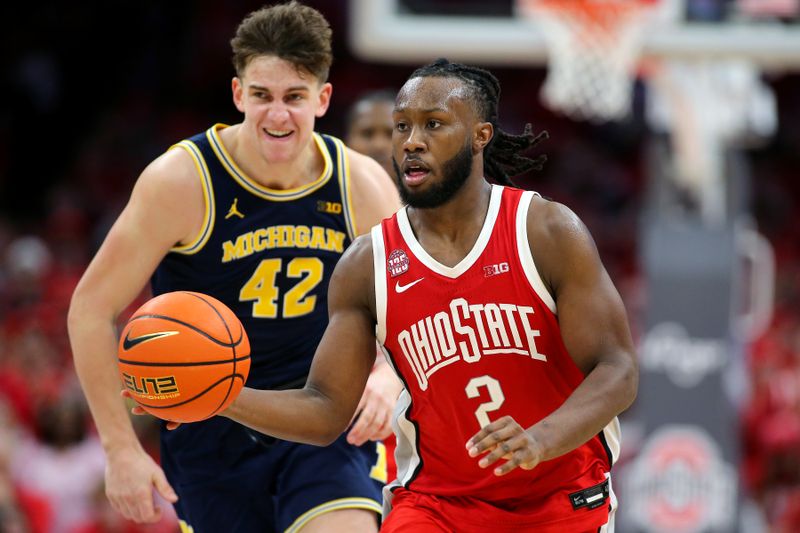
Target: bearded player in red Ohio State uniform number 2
[{"x": 493, "y": 306}]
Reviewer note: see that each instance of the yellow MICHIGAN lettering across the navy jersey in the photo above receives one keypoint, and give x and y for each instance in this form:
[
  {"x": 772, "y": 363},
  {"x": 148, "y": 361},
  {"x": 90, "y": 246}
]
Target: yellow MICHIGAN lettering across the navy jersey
[{"x": 285, "y": 236}]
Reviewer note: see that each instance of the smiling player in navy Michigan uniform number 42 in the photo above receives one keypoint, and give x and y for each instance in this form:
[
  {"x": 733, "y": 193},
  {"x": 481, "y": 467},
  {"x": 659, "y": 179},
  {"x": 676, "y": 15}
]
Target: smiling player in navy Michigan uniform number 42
[{"x": 257, "y": 215}]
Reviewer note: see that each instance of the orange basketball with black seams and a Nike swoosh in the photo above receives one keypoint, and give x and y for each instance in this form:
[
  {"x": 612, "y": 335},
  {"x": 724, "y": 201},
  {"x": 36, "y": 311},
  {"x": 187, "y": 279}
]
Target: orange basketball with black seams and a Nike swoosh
[{"x": 184, "y": 356}]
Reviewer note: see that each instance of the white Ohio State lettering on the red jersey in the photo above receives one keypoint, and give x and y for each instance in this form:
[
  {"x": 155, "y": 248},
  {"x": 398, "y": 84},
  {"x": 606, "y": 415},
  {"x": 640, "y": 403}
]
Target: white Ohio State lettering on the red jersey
[{"x": 466, "y": 332}]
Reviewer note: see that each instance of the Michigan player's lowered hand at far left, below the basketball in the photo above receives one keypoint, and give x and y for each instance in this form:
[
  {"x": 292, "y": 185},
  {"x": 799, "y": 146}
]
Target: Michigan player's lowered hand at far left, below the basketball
[{"x": 131, "y": 476}]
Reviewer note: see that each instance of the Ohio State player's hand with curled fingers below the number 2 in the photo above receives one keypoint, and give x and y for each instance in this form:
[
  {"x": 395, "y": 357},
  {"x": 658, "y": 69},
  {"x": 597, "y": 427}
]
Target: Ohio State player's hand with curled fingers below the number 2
[{"x": 505, "y": 439}]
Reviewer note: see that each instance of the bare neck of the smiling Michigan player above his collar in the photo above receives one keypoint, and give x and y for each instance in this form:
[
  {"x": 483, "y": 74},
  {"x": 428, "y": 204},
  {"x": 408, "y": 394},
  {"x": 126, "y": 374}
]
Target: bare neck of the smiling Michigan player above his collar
[{"x": 281, "y": 175}]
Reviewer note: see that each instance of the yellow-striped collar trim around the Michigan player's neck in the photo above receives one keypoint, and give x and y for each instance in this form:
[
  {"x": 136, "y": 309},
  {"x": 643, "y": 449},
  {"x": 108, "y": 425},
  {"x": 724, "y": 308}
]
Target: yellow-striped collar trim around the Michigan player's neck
[{"x": 259, "y": 190}]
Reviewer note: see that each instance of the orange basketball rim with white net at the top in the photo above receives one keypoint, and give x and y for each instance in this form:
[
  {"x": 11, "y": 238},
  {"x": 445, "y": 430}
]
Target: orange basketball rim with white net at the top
[{"x": 594, "y": 47}]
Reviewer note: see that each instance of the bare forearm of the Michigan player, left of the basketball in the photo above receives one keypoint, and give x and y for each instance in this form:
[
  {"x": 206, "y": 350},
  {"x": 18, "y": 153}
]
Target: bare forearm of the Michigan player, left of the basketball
[{"x": 93, "y": 343}]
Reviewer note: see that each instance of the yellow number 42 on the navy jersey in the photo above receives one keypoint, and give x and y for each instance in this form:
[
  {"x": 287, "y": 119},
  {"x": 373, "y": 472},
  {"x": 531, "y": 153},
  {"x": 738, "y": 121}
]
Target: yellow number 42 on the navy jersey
[{"x": 263, "y": 291}]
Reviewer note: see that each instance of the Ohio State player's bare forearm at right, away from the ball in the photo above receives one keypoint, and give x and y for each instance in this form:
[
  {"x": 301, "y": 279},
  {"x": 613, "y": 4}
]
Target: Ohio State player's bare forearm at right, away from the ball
[{"x": 607, "y": 390}]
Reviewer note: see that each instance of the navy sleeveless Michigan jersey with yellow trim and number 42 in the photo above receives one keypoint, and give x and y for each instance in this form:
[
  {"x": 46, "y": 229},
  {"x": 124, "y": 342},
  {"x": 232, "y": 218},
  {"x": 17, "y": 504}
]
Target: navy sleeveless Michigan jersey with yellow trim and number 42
[{"x": 267, "y": 254}]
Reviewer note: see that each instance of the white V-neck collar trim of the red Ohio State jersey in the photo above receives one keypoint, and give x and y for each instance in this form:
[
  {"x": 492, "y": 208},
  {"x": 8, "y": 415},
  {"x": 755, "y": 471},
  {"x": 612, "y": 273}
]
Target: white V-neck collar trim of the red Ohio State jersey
[{"x": 473, "y": 255}]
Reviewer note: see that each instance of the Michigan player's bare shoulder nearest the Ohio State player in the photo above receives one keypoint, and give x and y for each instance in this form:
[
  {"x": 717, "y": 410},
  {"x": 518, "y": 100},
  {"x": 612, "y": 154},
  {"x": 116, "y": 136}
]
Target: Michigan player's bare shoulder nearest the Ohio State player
[{"x": 375, "y": 195}]
